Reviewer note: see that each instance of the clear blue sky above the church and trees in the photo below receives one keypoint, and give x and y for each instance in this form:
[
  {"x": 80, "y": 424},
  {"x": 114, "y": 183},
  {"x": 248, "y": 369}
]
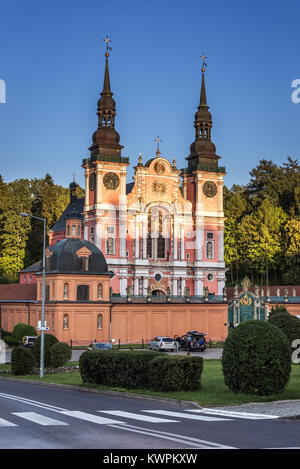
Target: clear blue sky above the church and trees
[{"x": 52, "y": 61}]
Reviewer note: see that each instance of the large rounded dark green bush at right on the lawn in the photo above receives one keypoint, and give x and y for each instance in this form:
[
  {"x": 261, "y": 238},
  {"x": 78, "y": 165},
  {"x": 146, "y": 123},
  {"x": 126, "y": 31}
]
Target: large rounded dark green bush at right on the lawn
[{"x": 256, "y": 358}]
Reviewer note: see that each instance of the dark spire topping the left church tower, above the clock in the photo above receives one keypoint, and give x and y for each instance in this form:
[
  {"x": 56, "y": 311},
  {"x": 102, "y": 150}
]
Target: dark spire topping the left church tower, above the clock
[{"x": 106, "y": 139}]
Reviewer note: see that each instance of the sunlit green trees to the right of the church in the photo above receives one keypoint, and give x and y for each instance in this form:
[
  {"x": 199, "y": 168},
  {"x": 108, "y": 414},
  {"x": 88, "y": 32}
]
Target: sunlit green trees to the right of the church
[{"x": 262, "y": 229}]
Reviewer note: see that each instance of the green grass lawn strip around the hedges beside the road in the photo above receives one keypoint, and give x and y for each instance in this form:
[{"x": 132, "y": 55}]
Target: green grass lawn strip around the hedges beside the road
[{"x": 213, "y": 392}]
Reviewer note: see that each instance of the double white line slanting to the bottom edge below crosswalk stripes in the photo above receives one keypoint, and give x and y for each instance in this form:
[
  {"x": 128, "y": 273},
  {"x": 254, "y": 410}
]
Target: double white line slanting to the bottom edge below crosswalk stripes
[{"x": 194, "y": 442}]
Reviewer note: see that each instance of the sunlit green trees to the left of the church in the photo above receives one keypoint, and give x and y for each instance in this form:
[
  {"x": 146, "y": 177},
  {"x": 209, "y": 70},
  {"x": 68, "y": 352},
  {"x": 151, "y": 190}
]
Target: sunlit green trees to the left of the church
[{"x": 21, "y": 238}]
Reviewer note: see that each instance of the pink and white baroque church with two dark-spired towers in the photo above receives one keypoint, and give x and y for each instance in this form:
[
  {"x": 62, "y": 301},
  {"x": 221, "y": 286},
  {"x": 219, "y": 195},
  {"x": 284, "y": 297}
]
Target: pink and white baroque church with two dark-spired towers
[{"x": 162, "y": 234}]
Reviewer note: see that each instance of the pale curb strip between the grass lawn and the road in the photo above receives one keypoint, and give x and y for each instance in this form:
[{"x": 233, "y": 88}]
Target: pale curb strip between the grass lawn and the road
[{"x": 177, "y": 402}]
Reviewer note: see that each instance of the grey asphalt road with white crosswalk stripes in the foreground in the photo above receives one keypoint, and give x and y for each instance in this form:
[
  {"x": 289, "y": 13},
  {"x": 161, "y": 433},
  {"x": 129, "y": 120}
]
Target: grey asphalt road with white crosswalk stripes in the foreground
[{"x": 34, "y": 416}]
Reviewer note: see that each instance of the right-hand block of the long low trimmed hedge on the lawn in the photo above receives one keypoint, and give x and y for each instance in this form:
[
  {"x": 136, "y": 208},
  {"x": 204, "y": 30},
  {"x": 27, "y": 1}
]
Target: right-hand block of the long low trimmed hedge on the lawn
[{"x": 176, "y": 373}]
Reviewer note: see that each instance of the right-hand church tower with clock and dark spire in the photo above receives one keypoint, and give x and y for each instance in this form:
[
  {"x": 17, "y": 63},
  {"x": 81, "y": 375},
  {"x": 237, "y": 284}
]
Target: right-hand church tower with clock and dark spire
[{"x": 203, "y": 186}]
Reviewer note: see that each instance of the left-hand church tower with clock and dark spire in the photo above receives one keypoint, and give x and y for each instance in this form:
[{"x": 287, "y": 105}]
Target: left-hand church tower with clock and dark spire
[{"x": 105, "y": 179}]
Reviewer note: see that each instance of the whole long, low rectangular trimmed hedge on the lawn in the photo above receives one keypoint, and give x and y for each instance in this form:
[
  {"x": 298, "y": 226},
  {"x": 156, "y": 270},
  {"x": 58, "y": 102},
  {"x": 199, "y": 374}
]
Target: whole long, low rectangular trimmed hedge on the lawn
[{"x": 135, "y": 370}]
